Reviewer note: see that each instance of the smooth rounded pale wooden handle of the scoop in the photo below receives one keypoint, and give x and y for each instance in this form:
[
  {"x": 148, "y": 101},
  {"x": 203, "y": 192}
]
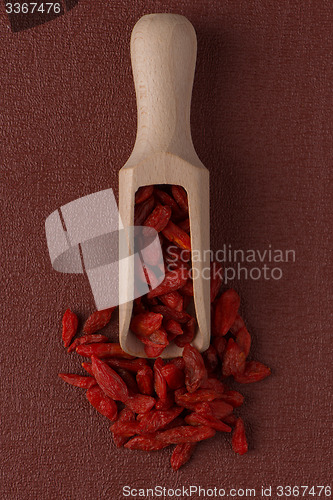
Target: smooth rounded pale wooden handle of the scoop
[{"x": 163, "y": 53}]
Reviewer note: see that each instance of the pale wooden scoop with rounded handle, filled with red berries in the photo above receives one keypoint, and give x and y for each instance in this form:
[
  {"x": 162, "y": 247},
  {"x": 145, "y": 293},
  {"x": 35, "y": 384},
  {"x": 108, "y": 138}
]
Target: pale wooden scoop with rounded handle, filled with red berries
[{"x": 163, "y": 53}]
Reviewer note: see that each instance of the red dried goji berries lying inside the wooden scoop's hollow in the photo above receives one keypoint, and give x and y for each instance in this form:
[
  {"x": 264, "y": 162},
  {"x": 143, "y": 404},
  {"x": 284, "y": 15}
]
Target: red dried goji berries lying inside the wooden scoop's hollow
[{"x": 162, "y": 316}]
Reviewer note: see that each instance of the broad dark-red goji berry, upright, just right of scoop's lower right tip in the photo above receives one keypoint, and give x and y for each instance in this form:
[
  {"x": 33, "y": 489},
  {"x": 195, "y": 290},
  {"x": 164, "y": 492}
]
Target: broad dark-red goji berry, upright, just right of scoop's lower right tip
[{"x": 226, "y": 311}]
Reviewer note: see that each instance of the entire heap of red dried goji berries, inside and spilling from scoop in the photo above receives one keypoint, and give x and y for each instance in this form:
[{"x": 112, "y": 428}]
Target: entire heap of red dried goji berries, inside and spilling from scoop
[{"x": 182, "y": 401}]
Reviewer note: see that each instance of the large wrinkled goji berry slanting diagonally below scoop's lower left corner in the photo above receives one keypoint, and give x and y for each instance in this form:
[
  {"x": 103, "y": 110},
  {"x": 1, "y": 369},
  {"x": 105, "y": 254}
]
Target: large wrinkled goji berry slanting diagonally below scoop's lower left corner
[{"x": 109, "y": 380}]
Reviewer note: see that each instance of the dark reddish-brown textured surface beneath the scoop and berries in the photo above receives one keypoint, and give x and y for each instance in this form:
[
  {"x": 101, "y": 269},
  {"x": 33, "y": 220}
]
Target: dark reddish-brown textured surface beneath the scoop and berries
[{"x": 262, "y": 124}]
